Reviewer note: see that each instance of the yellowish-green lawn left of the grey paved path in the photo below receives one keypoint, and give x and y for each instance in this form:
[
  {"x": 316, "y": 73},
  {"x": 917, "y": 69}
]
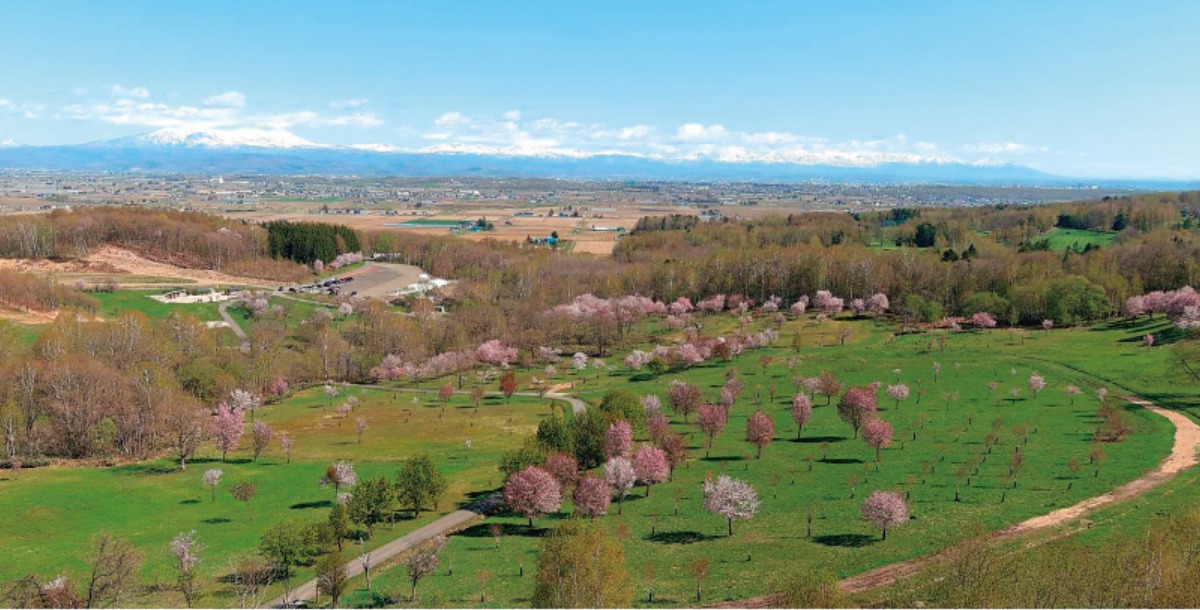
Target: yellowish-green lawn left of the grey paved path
[{"x": 53, "y": 513}]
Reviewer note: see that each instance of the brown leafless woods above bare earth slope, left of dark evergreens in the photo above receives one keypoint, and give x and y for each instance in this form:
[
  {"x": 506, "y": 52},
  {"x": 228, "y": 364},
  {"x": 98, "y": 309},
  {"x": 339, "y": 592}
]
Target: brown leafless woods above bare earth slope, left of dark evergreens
[{"x": 187, "y": 240}]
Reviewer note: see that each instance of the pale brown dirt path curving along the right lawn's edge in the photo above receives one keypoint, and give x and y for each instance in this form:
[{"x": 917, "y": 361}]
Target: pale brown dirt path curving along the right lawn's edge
[{"x": 1183, "y": 457}]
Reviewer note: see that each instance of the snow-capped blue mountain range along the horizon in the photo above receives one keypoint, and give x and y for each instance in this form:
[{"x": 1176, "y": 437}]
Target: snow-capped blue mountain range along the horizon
[{"x": 280, "y": 152}]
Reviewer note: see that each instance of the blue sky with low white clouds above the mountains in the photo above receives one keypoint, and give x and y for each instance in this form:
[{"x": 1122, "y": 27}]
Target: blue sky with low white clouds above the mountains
[{"x": 1099, "y": 89}]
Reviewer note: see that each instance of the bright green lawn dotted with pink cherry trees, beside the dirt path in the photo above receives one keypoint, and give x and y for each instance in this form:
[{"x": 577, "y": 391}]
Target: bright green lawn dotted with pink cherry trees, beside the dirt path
[{"x": 659, "y": 541}]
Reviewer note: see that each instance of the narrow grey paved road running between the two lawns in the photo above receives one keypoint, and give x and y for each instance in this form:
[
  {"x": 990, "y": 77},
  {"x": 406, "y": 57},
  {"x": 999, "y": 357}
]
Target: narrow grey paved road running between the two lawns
[{"x": 445, "y": 525}]
